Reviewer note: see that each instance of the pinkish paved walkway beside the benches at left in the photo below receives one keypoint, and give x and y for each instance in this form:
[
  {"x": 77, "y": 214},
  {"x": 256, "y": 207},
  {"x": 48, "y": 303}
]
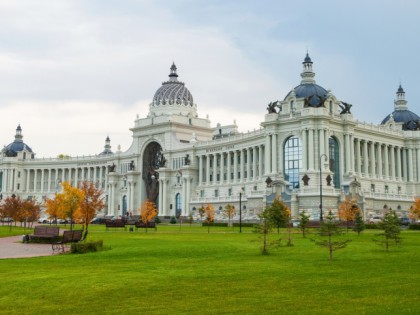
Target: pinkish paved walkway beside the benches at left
[{"x": 12, "y": 247}]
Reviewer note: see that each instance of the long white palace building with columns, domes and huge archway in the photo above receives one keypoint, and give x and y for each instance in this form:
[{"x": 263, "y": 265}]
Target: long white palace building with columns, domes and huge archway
[{"x": 310, "y": 151}]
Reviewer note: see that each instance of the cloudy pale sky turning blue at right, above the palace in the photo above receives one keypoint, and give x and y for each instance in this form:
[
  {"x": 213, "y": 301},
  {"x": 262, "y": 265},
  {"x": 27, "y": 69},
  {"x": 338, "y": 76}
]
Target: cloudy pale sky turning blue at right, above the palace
[{"x": 74, "y": 72}]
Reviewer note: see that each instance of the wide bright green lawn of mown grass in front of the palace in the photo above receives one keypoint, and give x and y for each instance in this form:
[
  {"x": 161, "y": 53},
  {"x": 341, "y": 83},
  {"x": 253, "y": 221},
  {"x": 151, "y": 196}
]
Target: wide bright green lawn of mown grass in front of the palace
[{"x": 188, "y": 271}]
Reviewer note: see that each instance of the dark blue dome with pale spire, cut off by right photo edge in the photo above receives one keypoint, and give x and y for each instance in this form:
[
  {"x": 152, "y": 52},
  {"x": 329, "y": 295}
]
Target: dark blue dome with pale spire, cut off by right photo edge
[{"x": 401, "y": 114}]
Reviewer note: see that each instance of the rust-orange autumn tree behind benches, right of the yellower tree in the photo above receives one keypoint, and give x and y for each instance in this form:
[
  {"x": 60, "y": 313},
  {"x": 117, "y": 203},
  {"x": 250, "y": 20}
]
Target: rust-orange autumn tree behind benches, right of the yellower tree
[{"x": 92, "y": 203}]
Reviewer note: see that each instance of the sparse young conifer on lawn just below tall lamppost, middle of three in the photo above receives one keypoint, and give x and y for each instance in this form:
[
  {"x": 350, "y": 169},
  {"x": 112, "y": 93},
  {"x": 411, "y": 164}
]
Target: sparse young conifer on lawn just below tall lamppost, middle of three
[{"x": 329, "y": 228}]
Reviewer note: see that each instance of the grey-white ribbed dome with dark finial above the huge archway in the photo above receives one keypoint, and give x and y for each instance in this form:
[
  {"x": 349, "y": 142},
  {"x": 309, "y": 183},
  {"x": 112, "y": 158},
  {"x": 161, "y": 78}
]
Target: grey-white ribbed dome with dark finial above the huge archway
[{"x": 173, "y": 92}]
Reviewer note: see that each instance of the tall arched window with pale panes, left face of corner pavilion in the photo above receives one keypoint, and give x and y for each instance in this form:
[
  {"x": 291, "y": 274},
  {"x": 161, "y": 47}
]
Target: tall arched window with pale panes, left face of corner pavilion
[{"x": 292, "y": 160}]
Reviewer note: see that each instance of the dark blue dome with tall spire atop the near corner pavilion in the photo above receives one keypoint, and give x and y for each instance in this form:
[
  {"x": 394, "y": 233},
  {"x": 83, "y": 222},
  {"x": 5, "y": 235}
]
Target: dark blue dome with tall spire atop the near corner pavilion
[{"x": 313, "y": 94}]
